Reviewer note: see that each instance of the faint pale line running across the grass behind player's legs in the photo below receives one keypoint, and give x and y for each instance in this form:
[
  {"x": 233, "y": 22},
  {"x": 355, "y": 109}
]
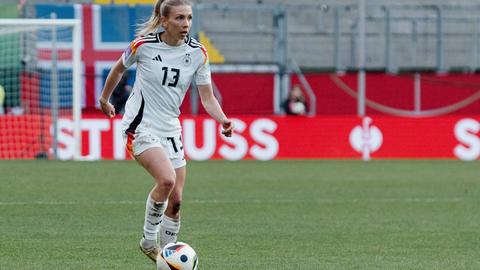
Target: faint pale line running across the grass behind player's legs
[{"x": 321, "y": 201}]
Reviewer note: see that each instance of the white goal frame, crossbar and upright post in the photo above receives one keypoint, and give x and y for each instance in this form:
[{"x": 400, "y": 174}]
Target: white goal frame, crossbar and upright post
[{"x": 76, "y": 68}]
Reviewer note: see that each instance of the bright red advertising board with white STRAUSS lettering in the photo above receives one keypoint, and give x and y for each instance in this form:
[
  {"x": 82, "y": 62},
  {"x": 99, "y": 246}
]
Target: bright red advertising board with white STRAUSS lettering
[{"x": 277, "y": 137}]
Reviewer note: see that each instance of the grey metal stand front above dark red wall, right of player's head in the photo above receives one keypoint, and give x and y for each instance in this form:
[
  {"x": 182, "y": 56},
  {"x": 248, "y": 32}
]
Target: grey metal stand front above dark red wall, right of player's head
[{"x": 327, "y": 36}]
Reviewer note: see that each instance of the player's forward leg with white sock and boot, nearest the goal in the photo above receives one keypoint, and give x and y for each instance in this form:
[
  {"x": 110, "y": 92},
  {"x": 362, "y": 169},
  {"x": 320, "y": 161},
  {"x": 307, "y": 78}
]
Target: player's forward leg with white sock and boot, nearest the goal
[{"x": 157, "y": 163}]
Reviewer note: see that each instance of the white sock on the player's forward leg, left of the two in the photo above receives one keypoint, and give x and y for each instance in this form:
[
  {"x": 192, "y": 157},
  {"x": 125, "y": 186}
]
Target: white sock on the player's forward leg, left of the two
[{"x": 153, "y": 217}]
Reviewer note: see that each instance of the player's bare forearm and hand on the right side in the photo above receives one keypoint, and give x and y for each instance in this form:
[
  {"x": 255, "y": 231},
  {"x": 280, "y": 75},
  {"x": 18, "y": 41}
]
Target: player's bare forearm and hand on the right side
[{"x": 211, "y": 105}]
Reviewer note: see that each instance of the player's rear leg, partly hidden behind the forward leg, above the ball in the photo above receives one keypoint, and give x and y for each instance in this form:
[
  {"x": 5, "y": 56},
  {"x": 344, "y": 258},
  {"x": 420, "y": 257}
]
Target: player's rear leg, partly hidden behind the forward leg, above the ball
[{"x": 170, "y": 225}]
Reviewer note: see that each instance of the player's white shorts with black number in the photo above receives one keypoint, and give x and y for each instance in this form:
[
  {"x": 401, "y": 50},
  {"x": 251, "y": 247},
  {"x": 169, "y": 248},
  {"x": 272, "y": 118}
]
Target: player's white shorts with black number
[{"x": 173, "y": 146}]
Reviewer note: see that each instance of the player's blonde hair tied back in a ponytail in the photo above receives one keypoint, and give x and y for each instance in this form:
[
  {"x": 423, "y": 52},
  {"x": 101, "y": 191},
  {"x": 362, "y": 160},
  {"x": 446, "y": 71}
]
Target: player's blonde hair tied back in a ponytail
[{"x": 161, "y": 8}]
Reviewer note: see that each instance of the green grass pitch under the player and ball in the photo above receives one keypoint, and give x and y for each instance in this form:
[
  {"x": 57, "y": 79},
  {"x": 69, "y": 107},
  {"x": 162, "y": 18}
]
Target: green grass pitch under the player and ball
[{"x": 393, "y": 214}]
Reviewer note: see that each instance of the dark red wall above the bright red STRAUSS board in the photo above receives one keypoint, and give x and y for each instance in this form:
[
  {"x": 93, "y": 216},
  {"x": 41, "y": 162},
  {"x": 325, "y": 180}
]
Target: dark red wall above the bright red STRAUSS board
[{"x": 438, "y": 95}]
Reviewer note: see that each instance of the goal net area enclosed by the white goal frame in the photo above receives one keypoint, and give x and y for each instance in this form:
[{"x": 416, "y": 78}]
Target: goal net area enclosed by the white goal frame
[{"x": 40, "y": 96}]
